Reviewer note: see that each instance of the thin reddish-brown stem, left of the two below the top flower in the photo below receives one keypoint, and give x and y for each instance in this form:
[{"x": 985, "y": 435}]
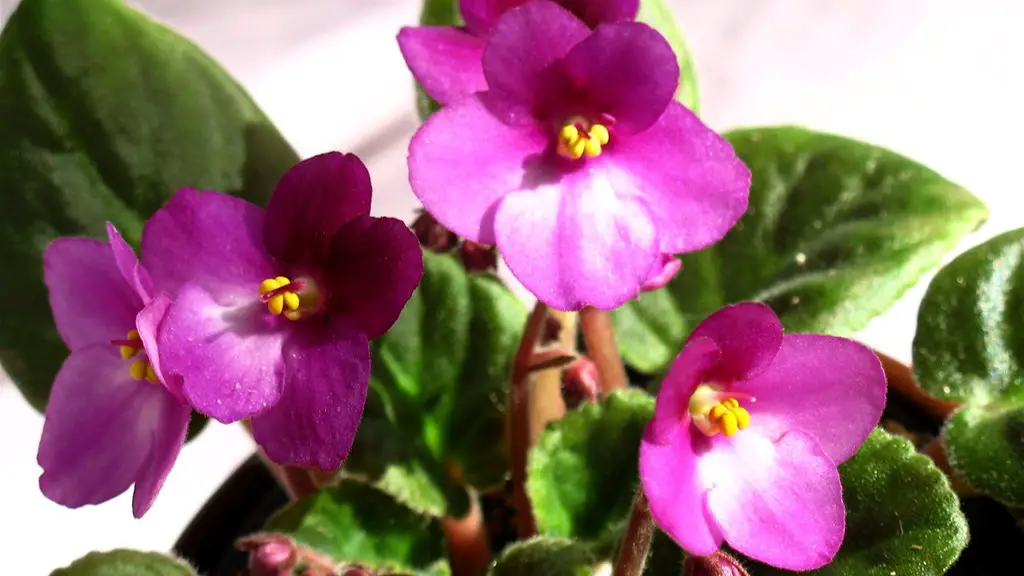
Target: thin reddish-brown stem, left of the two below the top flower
[{"x": 520, "y": 418}]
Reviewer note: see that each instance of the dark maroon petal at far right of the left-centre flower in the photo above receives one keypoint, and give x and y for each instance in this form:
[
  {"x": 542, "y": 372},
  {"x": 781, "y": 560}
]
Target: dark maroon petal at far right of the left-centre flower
[{"x": 375, "y": 267}]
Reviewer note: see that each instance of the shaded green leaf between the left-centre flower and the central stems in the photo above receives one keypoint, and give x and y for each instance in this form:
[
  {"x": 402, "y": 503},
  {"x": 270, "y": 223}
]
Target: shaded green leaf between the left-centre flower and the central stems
[{"x": 436, "y": 417}]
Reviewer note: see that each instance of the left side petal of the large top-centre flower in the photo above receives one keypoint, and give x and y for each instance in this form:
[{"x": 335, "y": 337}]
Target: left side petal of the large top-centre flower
[{"x": 463, "y": 160}]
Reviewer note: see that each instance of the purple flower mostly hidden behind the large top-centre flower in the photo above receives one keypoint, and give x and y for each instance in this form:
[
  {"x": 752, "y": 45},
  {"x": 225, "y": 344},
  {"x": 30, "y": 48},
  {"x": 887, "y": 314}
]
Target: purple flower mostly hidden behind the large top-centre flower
[{"x": 446, "y": 61}]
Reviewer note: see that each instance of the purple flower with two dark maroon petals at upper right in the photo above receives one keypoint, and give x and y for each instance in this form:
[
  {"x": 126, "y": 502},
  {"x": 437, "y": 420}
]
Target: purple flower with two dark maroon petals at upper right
[{"x": 275, "y": 309}]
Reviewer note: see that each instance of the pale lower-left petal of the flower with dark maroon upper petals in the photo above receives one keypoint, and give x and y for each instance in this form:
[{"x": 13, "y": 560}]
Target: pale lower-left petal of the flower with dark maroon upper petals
[{"x": 228, "y": 350}]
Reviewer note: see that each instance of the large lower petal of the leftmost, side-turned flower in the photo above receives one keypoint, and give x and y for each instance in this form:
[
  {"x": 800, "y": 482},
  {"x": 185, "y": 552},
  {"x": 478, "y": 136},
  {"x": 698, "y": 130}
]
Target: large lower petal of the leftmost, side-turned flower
[{"x": 99, "y": 432}]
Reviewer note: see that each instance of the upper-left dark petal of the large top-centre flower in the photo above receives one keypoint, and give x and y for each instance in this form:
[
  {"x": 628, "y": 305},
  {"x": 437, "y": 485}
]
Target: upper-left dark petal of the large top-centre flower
[{"x": 523, "y": 59}]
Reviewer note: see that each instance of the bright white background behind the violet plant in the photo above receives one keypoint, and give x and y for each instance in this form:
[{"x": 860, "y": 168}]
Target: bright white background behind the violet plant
[{"x": 938, "y": 80}]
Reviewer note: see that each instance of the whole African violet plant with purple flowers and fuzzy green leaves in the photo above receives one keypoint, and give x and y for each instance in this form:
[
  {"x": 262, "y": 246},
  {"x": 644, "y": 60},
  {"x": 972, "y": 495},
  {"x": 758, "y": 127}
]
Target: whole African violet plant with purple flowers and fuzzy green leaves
[{"x": 420, "y": 419}]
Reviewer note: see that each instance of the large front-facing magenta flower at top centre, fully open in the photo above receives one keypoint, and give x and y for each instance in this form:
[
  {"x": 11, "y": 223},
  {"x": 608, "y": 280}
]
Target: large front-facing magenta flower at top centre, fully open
[{"x": 577, "y": 162}]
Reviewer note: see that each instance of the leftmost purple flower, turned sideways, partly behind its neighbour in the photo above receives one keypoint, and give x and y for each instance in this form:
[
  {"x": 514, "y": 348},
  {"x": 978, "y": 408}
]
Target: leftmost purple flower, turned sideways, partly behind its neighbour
[{"x": 113, "y": 419}]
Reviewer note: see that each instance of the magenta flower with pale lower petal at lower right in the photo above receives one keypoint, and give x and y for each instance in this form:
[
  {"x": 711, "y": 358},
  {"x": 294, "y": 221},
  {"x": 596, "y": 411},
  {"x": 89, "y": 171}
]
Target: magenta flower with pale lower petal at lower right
[{"x": 748, "y": 431}]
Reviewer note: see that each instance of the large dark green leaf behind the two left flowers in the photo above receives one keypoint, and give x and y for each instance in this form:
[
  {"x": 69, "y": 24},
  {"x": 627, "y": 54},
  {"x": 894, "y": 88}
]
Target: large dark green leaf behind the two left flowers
[{"x": 105, "y": 115}]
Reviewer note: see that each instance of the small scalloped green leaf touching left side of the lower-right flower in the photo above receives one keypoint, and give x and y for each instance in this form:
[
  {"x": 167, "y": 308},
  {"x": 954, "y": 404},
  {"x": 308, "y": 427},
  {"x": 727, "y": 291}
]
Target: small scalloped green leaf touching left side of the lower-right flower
[{"x": 583, "y": 473}]
